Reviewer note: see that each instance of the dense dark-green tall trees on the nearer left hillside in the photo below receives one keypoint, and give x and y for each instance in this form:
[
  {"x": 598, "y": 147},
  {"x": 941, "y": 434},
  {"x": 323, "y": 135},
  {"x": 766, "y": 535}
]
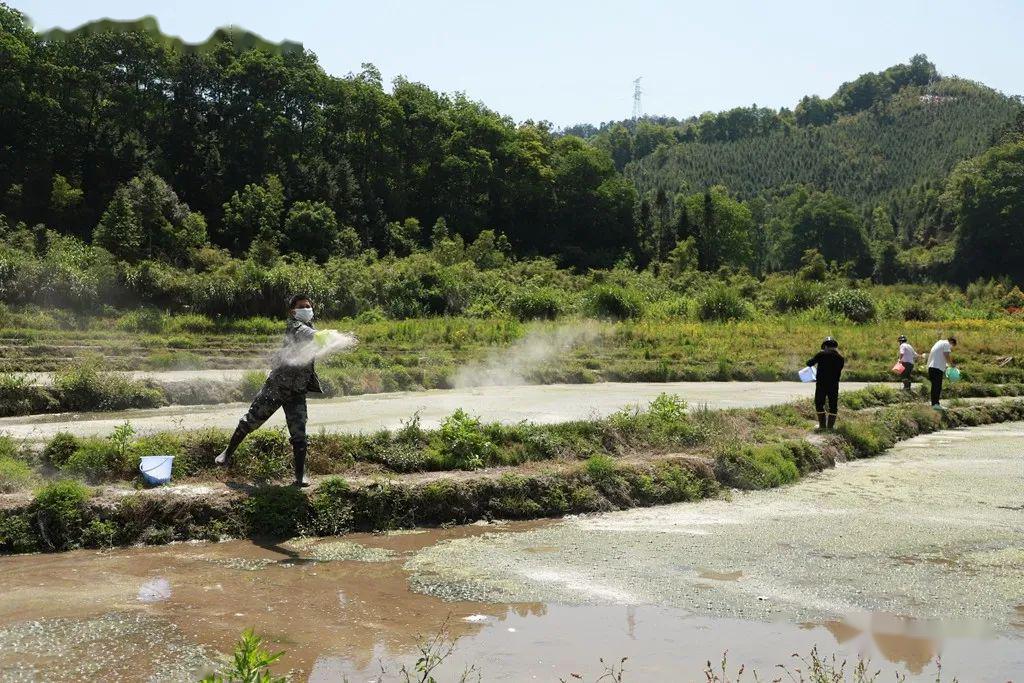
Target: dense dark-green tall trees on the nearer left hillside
[{"x": 84, "y": 115}]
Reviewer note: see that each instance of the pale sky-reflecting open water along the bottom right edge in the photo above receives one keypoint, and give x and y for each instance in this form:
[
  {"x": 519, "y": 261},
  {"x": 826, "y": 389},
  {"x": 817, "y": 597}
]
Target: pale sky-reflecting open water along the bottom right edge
[{"x": 552, "y": 643}]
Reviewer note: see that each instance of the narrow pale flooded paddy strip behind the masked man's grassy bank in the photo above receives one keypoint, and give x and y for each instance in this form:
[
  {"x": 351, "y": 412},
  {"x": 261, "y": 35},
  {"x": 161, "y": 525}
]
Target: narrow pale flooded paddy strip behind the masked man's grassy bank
[{"x": 540, "y": 404}]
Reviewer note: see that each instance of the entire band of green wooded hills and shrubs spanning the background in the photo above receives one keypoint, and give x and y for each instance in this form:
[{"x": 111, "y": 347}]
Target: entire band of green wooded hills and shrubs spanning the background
[{"x": 218, "y": 178}]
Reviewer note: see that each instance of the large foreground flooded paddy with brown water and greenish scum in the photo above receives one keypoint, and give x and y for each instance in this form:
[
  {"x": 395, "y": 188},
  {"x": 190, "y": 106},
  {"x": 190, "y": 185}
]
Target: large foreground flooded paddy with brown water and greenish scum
[{"x": 903, "y": 559}]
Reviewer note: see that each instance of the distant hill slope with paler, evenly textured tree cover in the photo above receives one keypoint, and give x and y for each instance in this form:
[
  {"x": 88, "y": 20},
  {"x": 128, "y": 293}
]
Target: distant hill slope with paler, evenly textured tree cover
[{"x": 871, "y": 158}]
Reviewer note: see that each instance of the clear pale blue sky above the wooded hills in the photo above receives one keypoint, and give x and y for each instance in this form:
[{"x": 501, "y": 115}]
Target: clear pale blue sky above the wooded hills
[{"x": 575, "y": 61}]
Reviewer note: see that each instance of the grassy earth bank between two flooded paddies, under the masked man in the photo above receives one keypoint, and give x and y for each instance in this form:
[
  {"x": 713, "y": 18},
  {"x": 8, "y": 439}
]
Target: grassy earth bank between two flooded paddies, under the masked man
[{"x": 630, "y": 459}]
